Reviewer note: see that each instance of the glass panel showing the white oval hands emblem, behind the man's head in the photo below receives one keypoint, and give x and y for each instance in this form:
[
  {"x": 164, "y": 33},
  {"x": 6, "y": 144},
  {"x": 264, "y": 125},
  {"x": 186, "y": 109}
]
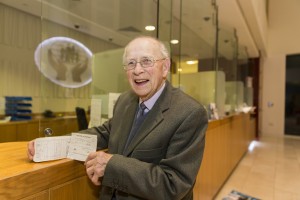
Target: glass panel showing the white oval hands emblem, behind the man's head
[{"x": 103, "y": 27}]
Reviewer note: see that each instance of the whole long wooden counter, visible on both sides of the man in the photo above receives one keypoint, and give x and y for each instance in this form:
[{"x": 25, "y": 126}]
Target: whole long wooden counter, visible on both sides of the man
[{"x": 227, "y": 141}]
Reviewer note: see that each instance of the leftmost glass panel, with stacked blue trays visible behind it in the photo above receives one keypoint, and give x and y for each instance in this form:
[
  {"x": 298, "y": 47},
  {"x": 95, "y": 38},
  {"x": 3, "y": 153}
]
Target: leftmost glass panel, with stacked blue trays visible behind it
[{"x": 19, "y": 78}]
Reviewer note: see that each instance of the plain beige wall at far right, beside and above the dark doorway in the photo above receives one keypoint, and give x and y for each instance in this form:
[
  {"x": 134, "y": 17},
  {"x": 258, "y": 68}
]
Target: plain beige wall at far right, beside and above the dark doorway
[{"x": 283, "y": 39}]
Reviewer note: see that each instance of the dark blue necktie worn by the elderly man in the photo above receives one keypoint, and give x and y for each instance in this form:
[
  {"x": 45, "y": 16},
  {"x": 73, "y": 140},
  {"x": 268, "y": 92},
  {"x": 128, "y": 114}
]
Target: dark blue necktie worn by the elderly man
[{"x": 141, "y": 115}]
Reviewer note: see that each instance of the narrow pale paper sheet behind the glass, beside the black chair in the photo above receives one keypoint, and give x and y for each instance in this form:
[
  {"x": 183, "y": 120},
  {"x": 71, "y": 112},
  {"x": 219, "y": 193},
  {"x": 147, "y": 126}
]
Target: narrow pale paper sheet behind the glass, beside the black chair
[{"x": 95, "y": 117}]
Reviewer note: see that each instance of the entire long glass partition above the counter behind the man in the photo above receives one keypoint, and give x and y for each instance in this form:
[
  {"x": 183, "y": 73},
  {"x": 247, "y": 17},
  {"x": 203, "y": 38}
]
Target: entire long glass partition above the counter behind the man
[{"x": 69, "y": 55}]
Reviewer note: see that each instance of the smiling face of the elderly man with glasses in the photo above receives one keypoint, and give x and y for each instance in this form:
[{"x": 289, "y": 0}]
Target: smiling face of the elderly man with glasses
[{"x": 145, "y": 82}]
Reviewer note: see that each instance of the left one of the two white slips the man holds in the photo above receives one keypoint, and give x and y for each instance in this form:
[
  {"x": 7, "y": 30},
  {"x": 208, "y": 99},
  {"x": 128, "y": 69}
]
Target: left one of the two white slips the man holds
[{"x": 51, "y": 148}]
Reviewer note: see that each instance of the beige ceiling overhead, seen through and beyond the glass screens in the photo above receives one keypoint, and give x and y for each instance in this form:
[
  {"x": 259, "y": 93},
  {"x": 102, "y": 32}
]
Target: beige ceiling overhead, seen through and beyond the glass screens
[{"x": 119, "y": 27}]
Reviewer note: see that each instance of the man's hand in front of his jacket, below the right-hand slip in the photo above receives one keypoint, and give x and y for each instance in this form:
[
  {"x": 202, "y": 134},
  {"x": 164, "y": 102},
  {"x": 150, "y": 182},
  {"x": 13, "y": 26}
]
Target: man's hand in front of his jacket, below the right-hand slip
[{"x": 95, "y": 165}]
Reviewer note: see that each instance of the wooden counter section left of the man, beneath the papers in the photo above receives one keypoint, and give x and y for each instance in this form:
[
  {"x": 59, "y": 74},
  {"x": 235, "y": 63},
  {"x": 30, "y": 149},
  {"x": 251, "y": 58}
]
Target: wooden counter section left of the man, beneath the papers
[{"x": 55, "y": 180}]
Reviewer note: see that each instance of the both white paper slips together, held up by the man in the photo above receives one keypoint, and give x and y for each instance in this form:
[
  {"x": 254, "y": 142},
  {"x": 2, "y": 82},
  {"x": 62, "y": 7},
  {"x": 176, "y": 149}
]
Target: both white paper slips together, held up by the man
[{"x": 77, "y": 147}]
